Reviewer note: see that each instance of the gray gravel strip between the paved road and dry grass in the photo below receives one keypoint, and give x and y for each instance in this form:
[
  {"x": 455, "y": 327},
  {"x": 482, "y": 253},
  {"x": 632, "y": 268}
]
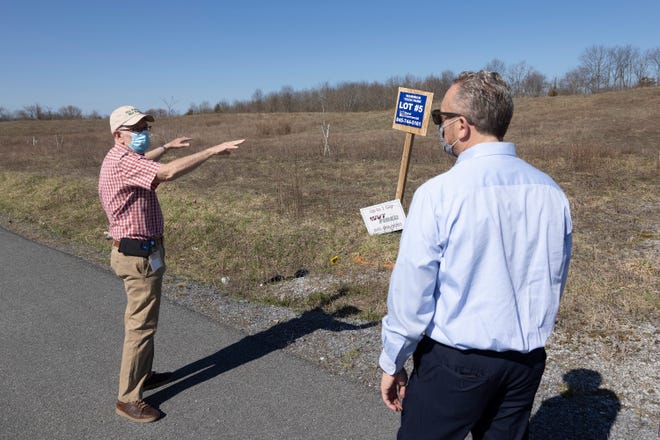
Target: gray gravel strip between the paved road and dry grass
[{"x": 593, "y": 387}]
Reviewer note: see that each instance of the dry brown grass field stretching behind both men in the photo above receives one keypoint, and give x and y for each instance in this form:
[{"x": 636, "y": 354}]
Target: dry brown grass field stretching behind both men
[{"x": 279, "y": 204}]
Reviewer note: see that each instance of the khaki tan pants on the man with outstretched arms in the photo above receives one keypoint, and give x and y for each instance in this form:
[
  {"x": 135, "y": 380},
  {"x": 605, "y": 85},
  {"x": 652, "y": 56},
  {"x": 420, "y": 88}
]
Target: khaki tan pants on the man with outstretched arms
[{"x": 143, "y": 290}]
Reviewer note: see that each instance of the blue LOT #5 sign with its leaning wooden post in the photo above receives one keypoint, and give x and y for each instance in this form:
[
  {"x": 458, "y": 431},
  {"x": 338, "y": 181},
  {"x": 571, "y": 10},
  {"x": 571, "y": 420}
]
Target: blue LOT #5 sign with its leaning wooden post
[{"x": 413, "y": 109}]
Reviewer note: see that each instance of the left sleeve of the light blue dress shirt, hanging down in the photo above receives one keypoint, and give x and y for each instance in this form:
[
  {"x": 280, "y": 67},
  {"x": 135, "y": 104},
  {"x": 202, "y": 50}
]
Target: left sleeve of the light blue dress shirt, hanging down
[{"x": 411, "y": 298}]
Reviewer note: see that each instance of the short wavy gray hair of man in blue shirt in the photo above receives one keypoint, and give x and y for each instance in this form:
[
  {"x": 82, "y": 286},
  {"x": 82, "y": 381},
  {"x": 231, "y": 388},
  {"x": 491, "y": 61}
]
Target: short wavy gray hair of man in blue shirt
[{"x": 486, "y": 101}]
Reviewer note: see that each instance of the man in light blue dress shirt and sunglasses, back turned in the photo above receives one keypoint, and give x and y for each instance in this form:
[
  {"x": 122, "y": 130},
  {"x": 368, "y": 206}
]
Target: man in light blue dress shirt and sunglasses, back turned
[{"x": 482, "y": 265}]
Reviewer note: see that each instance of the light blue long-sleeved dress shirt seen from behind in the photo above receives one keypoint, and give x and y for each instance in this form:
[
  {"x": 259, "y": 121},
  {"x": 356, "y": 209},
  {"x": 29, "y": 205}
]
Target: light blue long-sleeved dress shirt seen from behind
[{"x": 483, "y": 258}]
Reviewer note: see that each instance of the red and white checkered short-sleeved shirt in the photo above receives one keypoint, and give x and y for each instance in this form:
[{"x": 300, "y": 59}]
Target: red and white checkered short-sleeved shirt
[{"x": 127, "y": 189}]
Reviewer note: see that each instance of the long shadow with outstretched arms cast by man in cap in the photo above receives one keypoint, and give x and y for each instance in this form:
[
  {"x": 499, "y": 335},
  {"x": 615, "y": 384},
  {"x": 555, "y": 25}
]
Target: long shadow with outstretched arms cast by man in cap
[{"x": 255, "y": 346}]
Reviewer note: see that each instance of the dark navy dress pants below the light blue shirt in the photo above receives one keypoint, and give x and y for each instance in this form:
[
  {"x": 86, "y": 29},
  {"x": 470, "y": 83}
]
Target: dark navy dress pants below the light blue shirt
[{"x": 452, "y": 392}]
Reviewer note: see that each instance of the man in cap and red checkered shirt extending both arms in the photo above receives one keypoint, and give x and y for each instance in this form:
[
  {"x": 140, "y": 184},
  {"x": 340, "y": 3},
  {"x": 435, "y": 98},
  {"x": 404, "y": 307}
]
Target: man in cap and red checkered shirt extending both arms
[{"x": 129, "y": 176}]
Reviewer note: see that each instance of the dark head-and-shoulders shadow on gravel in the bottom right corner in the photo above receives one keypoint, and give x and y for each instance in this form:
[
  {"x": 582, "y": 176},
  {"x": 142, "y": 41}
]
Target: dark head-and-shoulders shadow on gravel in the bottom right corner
[{"x": 584, "y": 411}]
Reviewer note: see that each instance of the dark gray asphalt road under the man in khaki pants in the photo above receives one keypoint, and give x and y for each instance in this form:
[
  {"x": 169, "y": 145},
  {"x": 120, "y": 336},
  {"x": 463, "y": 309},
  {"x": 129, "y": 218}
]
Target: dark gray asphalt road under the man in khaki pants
[{"x": 60, "y": 338}]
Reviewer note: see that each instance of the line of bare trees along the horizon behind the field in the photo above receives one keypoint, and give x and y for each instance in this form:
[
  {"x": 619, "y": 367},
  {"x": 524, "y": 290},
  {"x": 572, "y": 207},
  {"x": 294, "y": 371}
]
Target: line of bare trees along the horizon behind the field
[{"x": 601, "y": 69}]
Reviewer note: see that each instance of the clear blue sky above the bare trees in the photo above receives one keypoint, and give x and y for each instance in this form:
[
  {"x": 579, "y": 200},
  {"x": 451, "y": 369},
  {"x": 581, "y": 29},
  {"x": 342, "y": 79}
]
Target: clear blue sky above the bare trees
[{"x": 99, "y": 55}]
